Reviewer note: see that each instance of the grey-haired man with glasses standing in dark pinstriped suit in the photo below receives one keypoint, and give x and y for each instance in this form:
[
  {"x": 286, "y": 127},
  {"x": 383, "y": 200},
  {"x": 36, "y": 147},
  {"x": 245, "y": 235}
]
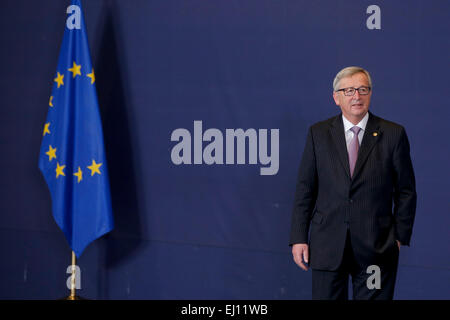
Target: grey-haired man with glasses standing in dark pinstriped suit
[{"x": 355, "y": 197}]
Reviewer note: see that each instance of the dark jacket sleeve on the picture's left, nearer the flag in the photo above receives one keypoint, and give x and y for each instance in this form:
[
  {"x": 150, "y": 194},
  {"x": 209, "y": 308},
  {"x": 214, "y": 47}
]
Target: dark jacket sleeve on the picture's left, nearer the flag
[{"x": 305, "y": 194}]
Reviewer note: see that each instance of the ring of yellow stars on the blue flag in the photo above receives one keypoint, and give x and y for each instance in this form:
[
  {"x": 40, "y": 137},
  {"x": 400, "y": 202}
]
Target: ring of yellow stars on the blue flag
[{"x": 51, "y": 153}]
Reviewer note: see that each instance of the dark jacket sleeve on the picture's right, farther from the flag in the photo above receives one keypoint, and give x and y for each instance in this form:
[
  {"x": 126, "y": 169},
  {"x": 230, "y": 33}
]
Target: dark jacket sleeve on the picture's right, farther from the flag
[{"x": 405, "y": 197}]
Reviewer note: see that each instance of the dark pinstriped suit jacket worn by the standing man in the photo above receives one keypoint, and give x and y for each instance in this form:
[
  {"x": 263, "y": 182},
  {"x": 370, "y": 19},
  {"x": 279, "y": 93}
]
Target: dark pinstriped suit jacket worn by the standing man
[{"x": 377, "y": 205}]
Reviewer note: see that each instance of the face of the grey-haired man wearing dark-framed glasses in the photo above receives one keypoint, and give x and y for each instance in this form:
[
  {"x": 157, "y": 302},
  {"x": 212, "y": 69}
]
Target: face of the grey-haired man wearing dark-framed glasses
[{"x": 353, "y": 107}]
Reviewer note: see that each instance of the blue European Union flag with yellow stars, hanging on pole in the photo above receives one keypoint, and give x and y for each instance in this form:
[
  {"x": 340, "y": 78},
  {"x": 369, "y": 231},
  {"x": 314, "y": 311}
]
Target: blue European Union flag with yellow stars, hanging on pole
[{"x": 72, "y": 157}]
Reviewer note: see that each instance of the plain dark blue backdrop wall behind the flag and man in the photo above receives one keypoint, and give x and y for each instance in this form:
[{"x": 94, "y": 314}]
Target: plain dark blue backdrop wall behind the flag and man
[{"x": 220, "y": 231}]
